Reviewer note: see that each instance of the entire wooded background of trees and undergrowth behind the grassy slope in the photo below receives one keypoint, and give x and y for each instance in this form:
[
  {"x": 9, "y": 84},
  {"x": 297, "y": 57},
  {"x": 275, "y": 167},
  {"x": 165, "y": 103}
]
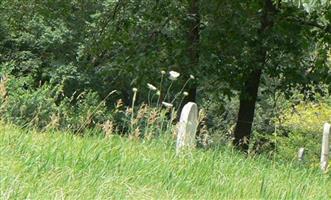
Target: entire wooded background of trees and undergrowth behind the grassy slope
[{"x": 60, "y": 62}]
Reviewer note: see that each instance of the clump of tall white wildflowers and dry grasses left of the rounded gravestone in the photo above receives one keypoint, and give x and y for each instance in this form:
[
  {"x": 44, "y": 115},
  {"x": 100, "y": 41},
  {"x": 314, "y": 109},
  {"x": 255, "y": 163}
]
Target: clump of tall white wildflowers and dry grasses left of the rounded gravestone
[{"x": 153, "y": 117}]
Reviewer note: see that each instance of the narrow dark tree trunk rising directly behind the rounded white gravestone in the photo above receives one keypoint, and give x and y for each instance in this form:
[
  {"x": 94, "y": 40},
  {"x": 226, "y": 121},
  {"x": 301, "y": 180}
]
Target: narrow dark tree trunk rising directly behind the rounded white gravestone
[{"x": 193, "y": 46}]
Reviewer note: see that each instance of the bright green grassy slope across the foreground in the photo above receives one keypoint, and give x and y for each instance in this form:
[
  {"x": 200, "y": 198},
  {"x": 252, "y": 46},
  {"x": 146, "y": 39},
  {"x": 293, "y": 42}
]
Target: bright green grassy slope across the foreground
[{"x": 61, "y": 166}]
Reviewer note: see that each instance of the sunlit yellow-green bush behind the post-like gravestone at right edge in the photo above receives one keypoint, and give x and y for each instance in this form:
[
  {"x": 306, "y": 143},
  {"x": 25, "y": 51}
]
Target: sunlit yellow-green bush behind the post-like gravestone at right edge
[{"x": 302, "y": 126}]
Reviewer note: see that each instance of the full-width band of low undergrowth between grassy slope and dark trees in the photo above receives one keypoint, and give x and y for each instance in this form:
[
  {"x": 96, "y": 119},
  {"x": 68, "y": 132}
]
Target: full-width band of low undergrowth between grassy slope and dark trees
[{"x": 282, "y": 126}]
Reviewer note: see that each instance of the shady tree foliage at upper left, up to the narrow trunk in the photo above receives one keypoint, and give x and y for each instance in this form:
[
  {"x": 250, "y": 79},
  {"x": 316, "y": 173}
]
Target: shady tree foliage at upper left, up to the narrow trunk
[{"x": 105, "y": 42}]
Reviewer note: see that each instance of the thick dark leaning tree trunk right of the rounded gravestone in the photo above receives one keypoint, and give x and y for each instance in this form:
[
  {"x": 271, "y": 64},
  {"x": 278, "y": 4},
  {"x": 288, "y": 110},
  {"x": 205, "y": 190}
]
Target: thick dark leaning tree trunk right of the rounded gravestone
[{"x": 249, "y": 92}]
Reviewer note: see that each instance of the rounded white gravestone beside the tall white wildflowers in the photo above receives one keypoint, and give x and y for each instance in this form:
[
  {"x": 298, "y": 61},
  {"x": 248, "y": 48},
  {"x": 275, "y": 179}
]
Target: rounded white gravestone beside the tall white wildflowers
[{"x": 187, "y": 128}]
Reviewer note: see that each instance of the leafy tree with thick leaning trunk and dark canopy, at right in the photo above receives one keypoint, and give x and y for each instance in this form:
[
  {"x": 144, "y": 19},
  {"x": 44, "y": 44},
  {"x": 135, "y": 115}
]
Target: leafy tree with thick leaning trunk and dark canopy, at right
[{"x": 263, "y": 39}]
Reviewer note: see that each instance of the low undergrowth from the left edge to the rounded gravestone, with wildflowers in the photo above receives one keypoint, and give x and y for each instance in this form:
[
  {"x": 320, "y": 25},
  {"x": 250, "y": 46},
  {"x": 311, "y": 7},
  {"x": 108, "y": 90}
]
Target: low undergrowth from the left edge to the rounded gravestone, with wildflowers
[{"x": 48, "y": 106}]
